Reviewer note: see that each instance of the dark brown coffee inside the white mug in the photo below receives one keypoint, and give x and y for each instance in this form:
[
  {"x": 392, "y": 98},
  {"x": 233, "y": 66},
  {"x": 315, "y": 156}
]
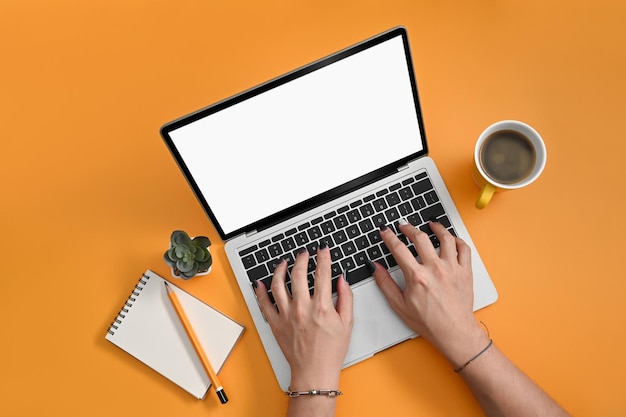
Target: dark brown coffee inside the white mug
[{"x": 507, "y": 156}]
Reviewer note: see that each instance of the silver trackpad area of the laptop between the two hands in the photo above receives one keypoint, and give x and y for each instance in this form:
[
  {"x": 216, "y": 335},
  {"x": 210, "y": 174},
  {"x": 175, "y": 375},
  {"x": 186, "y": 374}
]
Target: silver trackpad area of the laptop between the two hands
[{"x": 376, "y": 325}]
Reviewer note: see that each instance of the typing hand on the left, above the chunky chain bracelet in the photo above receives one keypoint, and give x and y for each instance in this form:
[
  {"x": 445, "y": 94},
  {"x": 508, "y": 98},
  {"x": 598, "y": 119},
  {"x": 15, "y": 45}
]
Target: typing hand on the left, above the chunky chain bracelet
[{"x": 313, "y": 334}]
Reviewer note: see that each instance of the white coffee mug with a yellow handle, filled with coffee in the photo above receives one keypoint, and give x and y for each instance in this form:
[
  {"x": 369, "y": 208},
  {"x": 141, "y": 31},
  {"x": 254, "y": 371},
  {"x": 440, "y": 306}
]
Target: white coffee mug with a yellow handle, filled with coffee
[{"x": 508, "y": 155}]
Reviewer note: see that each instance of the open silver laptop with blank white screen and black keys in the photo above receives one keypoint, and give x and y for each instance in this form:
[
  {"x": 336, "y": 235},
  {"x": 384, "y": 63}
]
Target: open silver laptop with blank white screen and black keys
[{"x": 329, "y": 151}]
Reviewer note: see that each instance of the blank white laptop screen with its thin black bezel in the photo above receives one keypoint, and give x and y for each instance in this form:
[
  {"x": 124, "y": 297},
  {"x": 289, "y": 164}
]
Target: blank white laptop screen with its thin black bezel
[{"x": 291, "y": 140}]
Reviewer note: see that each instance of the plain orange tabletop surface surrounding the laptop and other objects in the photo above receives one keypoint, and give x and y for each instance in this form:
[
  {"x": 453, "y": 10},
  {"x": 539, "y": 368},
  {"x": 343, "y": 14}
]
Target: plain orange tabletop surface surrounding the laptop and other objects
[{"x": 91, "y": 194}]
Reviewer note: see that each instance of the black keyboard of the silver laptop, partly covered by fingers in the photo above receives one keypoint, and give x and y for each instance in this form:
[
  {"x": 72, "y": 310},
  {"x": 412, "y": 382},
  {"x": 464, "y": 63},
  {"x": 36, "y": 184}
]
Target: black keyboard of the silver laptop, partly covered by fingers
[{"x": 352, "y": 233}]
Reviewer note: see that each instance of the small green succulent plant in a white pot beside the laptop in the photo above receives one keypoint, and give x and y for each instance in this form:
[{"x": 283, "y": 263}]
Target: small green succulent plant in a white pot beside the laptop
[{"x": 188, "y": 256}]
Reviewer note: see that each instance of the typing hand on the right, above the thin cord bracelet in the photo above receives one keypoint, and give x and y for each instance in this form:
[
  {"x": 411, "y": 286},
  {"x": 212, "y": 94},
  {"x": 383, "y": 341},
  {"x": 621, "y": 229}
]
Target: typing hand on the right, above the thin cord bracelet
[{"x": 437, "y": 302}]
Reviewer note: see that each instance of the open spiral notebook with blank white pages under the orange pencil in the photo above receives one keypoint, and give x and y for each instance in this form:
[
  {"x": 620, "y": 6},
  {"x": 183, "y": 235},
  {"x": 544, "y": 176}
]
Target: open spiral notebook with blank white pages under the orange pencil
[{"x": 148, "y": 328}]
